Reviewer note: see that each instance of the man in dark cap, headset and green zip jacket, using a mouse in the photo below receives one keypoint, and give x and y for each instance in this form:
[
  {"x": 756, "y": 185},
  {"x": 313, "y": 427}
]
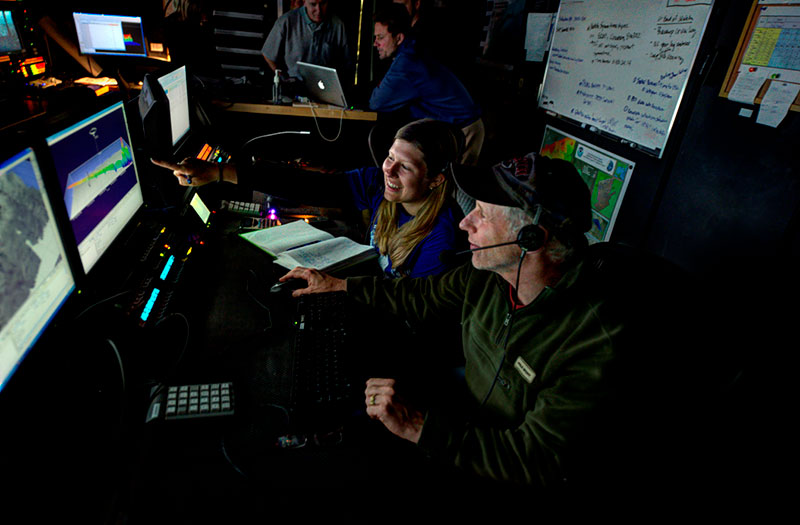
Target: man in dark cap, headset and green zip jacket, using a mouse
[{"x": 538, "y": 341}]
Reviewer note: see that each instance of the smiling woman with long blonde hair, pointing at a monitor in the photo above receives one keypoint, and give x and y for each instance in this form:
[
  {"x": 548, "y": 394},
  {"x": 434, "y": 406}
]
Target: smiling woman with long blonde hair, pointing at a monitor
[{"x": 413, "y": 217}]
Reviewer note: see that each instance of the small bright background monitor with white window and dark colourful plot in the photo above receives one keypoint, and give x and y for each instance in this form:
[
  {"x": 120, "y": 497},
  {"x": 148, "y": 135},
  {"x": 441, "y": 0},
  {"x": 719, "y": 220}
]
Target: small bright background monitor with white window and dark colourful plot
[{"x": 101, "y": 34}]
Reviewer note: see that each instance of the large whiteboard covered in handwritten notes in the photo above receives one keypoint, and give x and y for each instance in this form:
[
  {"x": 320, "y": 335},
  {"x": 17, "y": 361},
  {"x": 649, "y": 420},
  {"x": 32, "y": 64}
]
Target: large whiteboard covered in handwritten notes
[{"x": 621, "y": 66}]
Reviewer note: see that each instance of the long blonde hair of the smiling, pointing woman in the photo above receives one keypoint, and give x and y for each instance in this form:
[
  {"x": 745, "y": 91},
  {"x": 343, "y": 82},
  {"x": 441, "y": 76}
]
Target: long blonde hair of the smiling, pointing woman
[{"x": 440, "y": 144}]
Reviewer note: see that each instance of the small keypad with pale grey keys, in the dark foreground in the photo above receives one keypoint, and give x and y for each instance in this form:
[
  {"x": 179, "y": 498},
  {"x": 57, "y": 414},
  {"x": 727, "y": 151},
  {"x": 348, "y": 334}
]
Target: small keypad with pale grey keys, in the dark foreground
[{"x": 191, "y": 401}]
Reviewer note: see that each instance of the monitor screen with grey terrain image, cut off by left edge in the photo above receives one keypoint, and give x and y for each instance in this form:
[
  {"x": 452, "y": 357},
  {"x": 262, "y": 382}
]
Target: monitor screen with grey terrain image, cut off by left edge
[{"x": 36, "y": 278}]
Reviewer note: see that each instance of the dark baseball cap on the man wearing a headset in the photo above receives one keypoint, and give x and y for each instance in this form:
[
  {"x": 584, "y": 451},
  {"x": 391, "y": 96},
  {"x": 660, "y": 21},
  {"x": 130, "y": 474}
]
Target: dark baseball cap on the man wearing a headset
[{"x": 529, "y": 182}]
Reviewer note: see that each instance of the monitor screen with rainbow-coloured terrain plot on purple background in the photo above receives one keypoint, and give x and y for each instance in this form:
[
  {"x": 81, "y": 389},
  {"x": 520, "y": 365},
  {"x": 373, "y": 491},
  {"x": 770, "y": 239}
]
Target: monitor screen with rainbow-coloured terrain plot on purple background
[{"x": 97, "y": 175}]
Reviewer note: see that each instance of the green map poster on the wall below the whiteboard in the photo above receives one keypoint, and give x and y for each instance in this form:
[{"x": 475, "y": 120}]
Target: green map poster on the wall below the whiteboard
[{"x": 606, "y": 174}]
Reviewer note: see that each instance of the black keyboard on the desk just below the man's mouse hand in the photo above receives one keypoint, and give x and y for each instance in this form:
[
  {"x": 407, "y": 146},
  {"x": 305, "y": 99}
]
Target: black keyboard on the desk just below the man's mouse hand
[{"x": 320, "y": 373}]
